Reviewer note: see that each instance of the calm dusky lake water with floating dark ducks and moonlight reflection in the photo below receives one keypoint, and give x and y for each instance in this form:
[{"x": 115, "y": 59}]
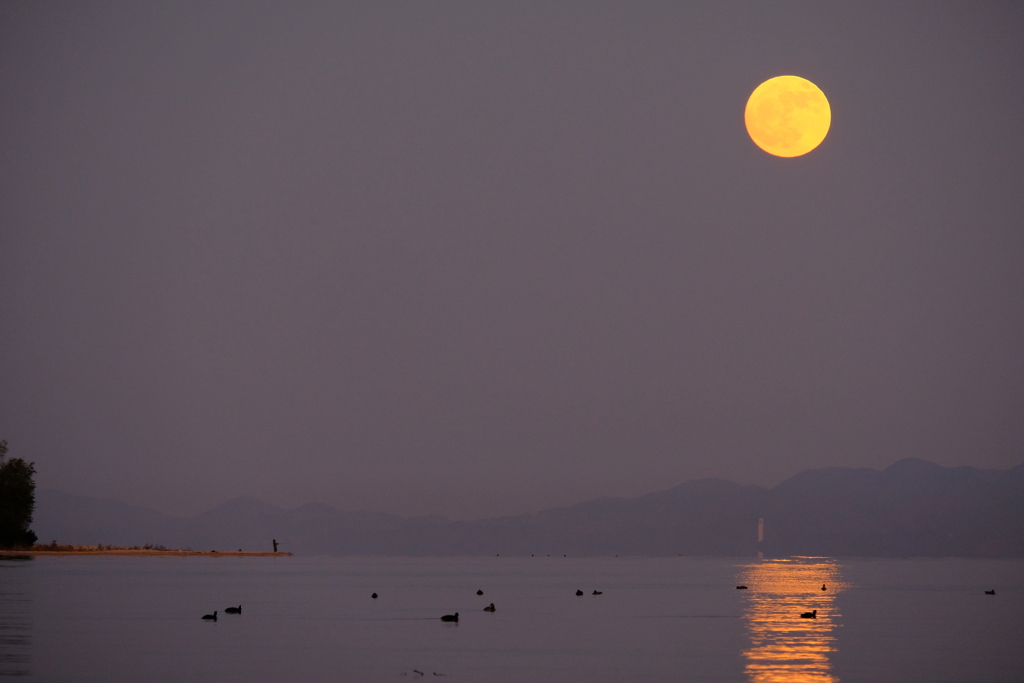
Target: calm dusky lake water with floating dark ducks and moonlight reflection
[{"x": 312, "y": 619}]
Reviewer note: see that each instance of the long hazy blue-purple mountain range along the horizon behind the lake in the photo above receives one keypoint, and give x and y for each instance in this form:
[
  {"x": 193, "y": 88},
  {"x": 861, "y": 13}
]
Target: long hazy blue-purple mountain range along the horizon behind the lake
[{"x": 912, "y": 509}]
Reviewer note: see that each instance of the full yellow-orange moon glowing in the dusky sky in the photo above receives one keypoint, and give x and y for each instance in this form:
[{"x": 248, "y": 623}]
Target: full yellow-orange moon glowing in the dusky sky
[{"x": 788, "y": 116}]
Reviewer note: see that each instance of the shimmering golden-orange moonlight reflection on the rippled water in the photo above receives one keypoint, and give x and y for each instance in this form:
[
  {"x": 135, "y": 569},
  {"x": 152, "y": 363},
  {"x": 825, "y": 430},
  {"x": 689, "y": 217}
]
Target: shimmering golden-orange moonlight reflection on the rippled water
[{"x": 786, "y": 649}]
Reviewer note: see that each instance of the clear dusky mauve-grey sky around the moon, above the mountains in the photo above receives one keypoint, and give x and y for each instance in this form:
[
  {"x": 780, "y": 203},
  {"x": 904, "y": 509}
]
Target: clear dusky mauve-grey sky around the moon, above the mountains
[{"x": 482, "y": 259}]
